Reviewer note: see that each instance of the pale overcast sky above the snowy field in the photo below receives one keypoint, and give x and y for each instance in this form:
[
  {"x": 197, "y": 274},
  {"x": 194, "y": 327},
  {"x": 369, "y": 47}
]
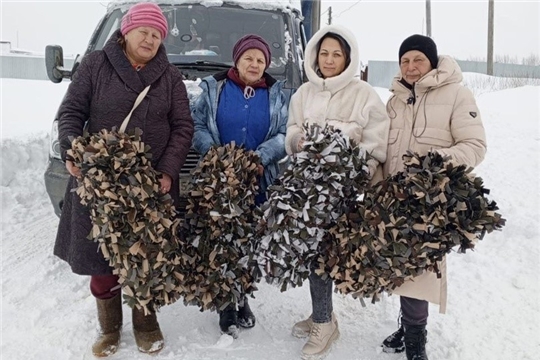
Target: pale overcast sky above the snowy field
[{"x": 458, "y": 27}]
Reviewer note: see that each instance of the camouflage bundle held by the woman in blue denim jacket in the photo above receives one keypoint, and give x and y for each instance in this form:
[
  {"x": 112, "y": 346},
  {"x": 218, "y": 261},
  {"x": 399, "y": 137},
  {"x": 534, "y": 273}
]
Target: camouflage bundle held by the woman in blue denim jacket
[{"x": 215, "y": 269}]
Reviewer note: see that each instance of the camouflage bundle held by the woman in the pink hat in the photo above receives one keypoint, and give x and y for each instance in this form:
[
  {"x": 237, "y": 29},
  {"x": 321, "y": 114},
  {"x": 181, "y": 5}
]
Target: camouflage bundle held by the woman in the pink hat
[{"x": 133, "y": 222}]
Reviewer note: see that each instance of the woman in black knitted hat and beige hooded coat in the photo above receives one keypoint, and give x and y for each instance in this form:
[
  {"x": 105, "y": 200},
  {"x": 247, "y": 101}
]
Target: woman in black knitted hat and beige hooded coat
[{"x": 429, "y": 110}]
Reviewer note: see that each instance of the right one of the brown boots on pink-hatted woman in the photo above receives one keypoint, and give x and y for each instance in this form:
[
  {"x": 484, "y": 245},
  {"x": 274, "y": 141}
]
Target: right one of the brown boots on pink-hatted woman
[{"x": 147, "y": 333}]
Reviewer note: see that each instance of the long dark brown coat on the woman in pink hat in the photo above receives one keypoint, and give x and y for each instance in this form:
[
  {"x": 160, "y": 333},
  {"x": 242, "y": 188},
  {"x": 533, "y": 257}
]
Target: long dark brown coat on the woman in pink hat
[{"x": 103, "y": 92}]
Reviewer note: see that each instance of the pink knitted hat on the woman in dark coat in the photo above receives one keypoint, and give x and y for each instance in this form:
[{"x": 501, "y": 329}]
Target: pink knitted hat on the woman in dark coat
[{"x": 144, "y": 14}]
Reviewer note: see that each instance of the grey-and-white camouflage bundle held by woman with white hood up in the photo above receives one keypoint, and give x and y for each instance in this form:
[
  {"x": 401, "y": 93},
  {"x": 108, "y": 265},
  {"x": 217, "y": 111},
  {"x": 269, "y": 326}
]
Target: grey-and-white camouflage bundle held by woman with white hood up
[{"x": 312, "y": 194}]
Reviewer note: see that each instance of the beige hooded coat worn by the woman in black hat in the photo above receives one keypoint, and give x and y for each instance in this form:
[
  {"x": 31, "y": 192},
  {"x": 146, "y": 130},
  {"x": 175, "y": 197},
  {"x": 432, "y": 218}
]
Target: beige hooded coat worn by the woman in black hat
[{"x": 443, "y": 118}]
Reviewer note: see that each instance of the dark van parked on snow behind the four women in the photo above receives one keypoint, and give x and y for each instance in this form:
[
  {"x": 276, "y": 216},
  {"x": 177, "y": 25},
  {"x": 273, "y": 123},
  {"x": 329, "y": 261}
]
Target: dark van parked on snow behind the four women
[{"x": 199, "y": 43}]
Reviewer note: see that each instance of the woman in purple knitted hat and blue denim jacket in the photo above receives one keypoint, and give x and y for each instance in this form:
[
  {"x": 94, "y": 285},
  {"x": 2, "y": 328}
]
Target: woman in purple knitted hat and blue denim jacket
[{"x": 246, "y": 105}]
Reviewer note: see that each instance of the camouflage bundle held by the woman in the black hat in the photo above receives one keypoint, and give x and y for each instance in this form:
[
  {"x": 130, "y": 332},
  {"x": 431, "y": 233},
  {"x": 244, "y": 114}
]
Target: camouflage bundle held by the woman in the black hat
[{"x": 406, "y": 224}]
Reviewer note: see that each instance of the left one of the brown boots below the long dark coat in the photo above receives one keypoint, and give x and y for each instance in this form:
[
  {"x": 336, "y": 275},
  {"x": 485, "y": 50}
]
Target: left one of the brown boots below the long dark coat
[{"x": 110, "y": 325}]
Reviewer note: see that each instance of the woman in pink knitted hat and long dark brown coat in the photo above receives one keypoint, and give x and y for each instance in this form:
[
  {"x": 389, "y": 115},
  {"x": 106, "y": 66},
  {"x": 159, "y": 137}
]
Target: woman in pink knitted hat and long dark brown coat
[{"x": 101, "y": 95}]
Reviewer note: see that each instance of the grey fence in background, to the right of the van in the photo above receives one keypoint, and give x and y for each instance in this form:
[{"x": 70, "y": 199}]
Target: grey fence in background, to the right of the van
[{"x": 381, "y": 73}]
